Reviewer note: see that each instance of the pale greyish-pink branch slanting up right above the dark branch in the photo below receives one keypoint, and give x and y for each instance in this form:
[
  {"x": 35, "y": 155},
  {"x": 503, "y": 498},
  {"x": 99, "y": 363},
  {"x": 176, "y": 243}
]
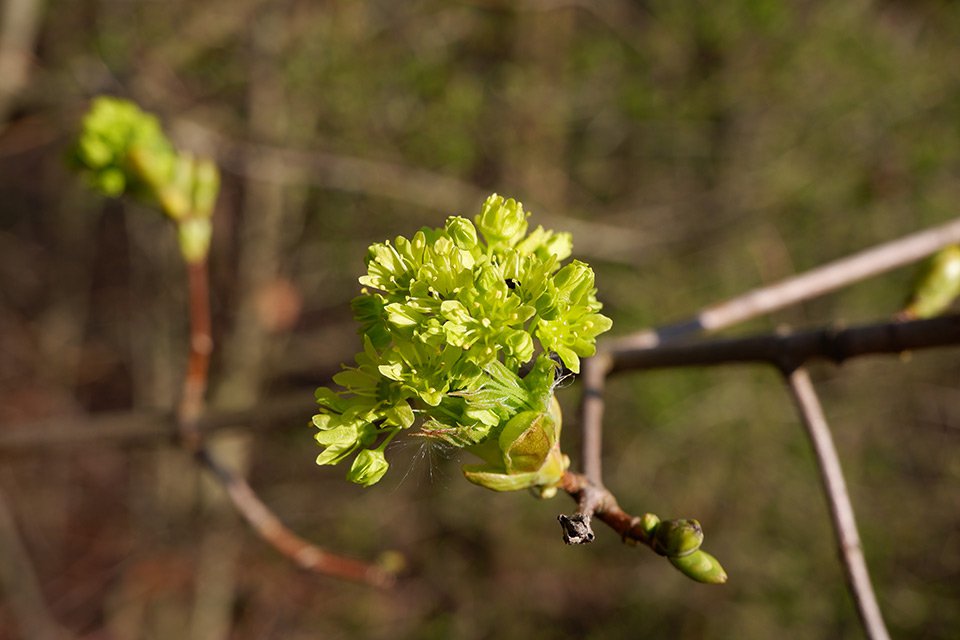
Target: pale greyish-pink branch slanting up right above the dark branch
[{"x": 810, "y": 284}]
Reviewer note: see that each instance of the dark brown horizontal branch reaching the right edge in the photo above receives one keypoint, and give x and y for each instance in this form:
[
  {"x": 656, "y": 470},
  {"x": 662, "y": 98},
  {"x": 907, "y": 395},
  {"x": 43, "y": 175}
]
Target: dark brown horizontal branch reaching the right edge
[{"x": 795, "y": 349}]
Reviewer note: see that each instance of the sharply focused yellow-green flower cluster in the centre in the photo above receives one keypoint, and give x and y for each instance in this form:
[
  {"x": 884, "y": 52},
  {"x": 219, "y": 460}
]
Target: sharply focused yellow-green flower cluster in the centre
[{"x": 449, "y": 317}]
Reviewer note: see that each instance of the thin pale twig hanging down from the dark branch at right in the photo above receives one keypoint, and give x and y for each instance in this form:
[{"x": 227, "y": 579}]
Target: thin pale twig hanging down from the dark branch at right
[{"x": 841, "y": 510}]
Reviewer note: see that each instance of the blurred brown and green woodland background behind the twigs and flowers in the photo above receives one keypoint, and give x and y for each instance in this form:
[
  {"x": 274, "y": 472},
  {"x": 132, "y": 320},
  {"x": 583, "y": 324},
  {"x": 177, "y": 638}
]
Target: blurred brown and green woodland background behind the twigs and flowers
[{"x": 696, "y": 149}]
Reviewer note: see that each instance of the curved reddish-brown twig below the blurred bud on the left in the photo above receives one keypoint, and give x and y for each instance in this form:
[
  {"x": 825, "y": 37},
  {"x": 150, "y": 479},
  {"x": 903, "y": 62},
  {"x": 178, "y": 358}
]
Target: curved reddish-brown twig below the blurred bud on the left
[{"x": 243, "y": 497}]
